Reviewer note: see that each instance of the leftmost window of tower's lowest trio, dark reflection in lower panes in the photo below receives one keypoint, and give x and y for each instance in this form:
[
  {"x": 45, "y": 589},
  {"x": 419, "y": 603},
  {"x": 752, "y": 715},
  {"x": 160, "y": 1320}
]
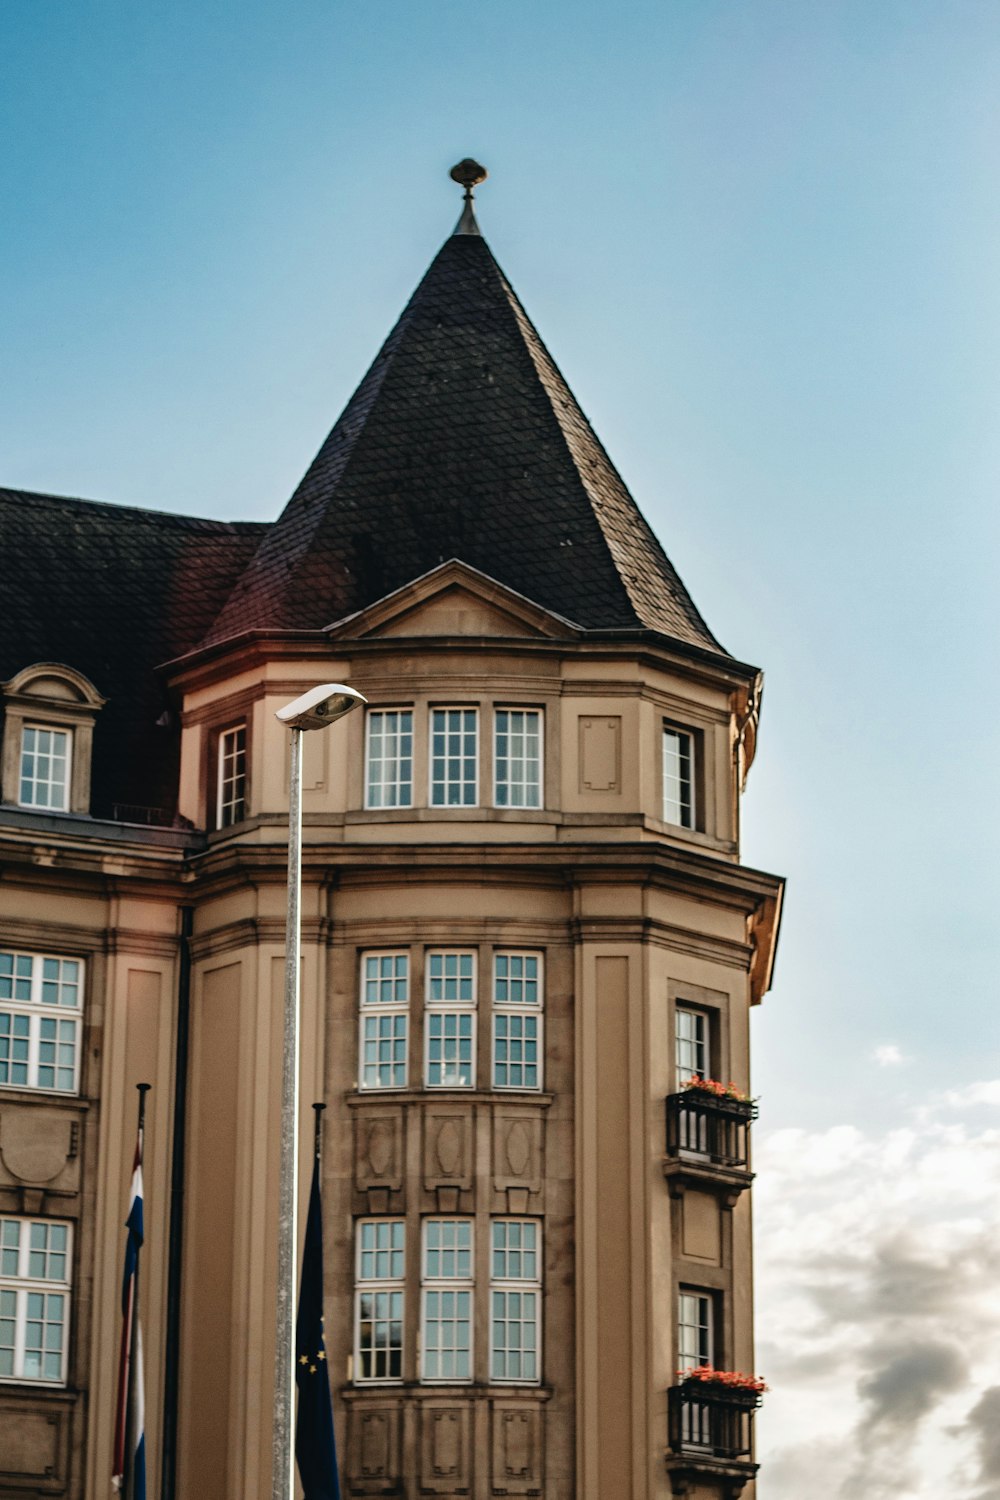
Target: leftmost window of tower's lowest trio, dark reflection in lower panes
[{"x": 380, "y": 1289}]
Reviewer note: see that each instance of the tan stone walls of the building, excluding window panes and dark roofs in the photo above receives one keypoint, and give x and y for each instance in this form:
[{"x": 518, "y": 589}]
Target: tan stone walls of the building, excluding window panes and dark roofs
[{"x": 629, "y": 917}]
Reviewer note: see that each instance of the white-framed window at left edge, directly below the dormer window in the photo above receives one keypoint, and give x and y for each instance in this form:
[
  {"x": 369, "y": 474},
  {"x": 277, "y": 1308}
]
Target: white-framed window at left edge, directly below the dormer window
[{"x": 41, "y": 1001}]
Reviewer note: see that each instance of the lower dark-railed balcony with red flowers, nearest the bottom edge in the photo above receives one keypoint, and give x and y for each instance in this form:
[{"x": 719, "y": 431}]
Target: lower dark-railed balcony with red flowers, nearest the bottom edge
[{"x": 711, "y": 1436}]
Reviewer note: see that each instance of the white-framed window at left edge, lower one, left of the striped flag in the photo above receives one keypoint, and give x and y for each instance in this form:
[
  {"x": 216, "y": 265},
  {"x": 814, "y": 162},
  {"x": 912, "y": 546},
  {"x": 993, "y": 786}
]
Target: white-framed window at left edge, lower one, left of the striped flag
[{"x": 35, "y": 1271}]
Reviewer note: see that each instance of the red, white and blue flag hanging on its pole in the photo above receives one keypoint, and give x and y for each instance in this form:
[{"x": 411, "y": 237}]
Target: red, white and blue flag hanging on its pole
[{"x": 130, "y": 1433}]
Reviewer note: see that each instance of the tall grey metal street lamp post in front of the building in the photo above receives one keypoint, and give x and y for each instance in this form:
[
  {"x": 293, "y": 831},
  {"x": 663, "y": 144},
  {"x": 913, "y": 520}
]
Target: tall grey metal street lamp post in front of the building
[{"x": 314, "y": 710}]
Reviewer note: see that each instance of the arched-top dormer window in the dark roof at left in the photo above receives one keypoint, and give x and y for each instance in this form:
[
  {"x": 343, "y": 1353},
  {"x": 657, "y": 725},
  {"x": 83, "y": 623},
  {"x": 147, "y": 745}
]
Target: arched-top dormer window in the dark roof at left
[{"x": 50, "y": 715}]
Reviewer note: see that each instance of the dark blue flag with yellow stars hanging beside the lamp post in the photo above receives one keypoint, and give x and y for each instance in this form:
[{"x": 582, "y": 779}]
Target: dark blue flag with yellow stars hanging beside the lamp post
[{"x": 316, "y": 1447}]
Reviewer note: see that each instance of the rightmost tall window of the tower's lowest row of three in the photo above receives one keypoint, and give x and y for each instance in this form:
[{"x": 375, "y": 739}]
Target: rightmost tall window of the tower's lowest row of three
[{"x": 516, "y": 1301}]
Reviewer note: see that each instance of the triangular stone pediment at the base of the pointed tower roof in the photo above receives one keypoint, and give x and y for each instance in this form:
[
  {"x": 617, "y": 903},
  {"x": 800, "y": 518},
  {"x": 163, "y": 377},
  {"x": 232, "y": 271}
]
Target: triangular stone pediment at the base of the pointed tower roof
[{"x": 455, "y": 601}]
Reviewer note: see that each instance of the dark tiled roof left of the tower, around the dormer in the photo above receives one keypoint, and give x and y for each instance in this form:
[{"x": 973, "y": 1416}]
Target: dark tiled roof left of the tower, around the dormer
[{"x": 115, "y": 592}]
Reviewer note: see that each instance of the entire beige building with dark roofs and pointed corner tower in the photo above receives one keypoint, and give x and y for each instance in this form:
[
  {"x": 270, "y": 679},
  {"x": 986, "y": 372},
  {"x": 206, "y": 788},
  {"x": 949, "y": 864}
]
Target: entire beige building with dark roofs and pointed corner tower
[{"x": 525, "y": 929}]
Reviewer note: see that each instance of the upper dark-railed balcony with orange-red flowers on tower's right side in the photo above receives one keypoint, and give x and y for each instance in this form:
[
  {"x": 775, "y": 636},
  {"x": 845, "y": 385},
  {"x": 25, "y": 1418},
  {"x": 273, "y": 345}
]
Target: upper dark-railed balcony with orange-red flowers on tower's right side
[{"x": 708, "y": 1142}]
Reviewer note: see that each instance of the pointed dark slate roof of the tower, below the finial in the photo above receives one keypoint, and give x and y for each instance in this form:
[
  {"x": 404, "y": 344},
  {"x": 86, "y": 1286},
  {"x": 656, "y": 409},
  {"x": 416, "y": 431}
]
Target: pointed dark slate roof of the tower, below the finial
[{"x": 464, "y": 442}]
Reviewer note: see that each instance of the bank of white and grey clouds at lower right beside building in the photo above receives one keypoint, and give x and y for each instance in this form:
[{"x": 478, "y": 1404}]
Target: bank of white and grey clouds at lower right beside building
[{"x": 878, "y": 1322}]
